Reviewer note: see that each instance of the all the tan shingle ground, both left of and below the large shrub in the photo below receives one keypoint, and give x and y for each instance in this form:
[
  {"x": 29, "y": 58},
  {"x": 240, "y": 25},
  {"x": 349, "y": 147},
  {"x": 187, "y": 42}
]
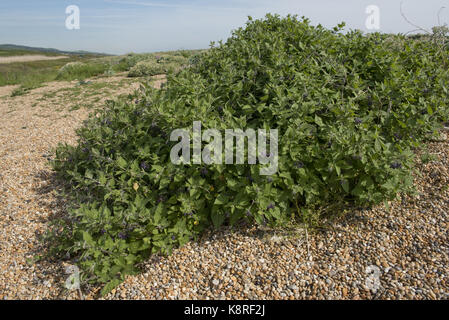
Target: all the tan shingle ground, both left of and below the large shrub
[{"x": 396, "y": 253}]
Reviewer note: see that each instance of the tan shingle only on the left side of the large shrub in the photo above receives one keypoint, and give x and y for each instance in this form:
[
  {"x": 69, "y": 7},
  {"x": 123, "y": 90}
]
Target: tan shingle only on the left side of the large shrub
[{"x": 30, "y": 126}]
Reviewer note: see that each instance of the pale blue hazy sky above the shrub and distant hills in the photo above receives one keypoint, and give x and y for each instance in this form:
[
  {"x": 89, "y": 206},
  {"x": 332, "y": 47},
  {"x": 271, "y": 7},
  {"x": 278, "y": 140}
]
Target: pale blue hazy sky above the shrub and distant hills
[{"x": 121, "y": 26}]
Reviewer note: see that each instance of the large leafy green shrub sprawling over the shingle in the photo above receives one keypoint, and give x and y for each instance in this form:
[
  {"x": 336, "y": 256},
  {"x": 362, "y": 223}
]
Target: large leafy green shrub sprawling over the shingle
[{"x": 349, "y": 109}]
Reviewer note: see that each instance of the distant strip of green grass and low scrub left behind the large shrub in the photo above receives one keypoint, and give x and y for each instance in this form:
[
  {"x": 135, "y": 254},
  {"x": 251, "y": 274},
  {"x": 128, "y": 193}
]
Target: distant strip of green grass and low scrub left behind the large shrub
[{"x": 32, "y": 74}]
